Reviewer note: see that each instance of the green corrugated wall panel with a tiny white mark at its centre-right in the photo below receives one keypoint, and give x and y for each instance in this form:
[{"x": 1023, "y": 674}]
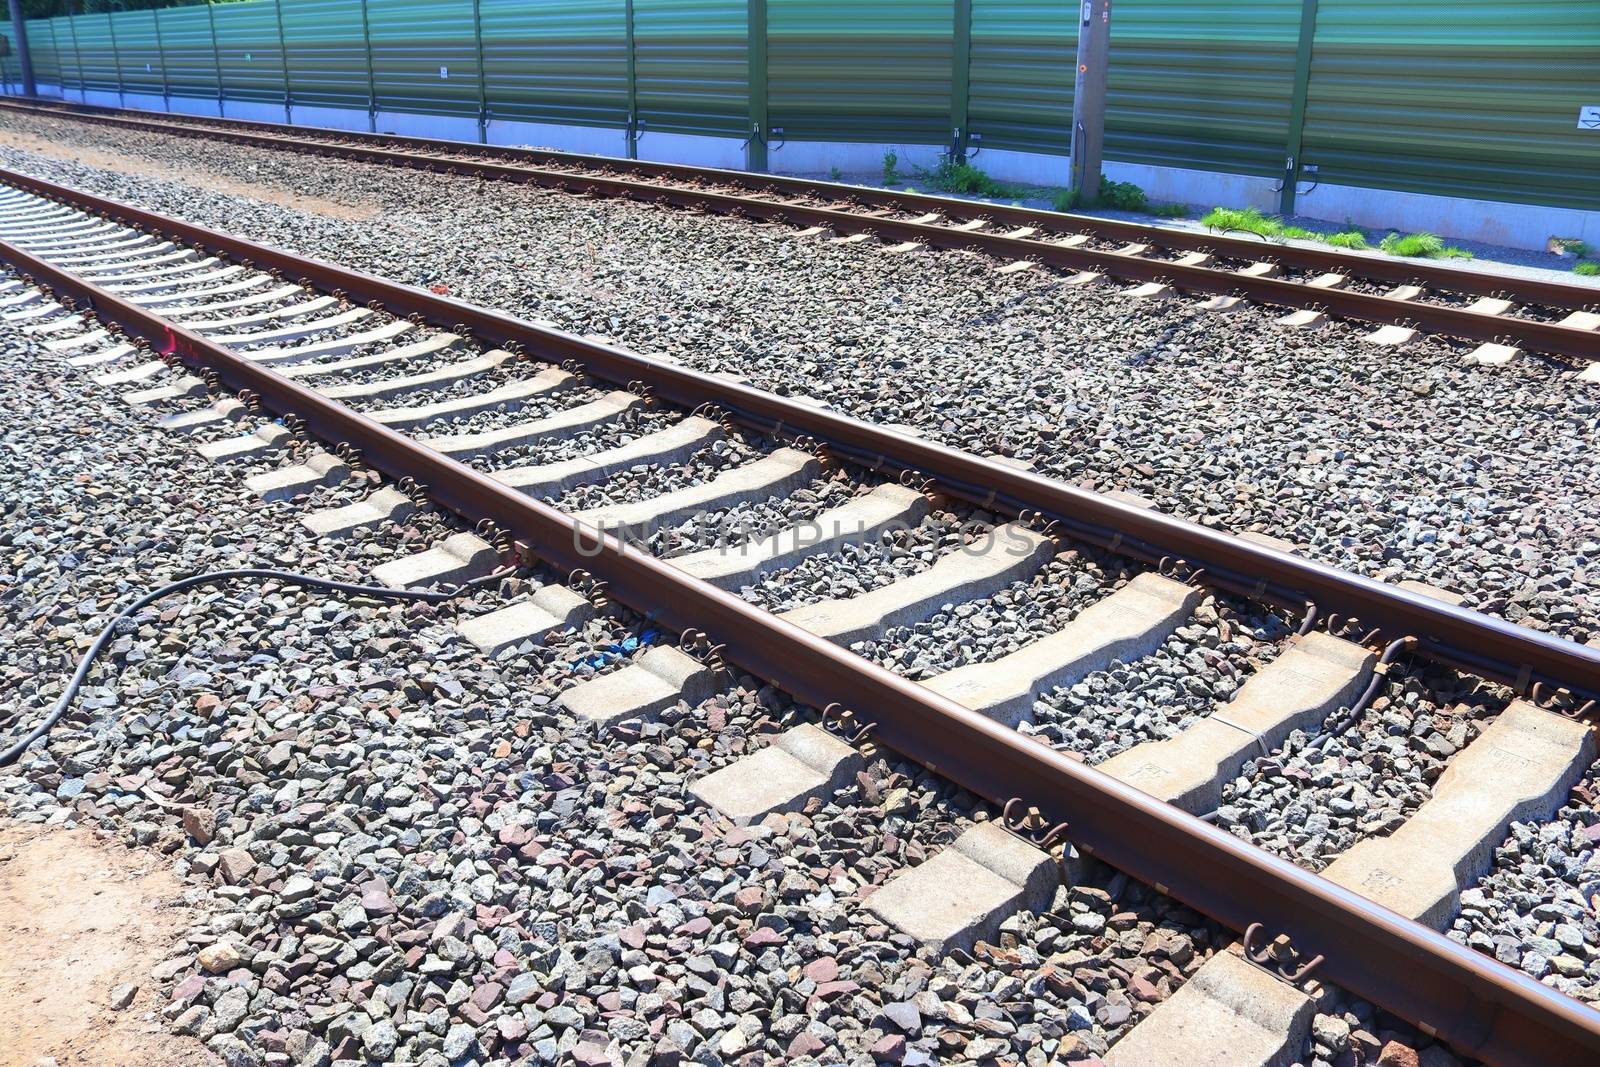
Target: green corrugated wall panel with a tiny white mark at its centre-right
[{"x": 425, "y": 57}]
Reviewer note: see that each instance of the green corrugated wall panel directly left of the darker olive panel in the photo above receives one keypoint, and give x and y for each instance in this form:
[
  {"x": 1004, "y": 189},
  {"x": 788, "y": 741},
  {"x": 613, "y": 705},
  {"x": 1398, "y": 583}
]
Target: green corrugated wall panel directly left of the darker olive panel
[{"x": 690, "y": 60}]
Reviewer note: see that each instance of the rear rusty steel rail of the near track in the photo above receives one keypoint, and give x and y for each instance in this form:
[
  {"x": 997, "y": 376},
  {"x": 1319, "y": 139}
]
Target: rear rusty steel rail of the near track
[{"x": 1449, "y": 634}]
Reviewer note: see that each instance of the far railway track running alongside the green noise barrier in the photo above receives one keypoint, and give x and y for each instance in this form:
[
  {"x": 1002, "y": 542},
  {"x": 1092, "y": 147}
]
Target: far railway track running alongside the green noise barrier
[{"x": 1505, "y": 314}]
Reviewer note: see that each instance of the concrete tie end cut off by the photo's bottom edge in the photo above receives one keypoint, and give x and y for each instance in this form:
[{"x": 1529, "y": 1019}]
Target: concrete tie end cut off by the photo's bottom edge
[{"x": 1230, "y": 1012}]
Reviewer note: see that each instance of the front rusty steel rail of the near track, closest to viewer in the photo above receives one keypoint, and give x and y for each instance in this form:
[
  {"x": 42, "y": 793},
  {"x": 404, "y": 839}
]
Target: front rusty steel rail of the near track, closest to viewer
[{"x": 1478, "y": 1005}]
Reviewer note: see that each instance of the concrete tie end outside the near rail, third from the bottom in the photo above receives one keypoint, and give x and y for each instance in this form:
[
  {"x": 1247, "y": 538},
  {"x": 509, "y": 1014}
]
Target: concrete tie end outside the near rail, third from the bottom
[{"x": 801, "y": 764}]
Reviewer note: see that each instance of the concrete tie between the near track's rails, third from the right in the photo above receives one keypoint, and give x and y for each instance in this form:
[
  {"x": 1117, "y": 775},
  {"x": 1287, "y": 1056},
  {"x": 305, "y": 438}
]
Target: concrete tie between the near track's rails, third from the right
[{"x": 1127, "y": 625}]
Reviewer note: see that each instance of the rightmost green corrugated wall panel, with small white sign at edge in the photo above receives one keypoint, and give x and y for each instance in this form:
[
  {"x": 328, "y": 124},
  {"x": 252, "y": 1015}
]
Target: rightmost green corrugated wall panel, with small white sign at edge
[{"x": 1463, "y": 98}]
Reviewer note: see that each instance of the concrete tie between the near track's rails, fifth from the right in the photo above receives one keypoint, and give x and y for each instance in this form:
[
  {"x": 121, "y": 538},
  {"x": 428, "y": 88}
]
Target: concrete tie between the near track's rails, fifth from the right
[{"x": 860, "y": 521}]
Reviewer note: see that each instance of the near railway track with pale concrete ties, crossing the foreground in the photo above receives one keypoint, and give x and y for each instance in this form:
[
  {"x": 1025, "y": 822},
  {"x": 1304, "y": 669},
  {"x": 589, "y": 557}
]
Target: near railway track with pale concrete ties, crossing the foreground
[{"x": 518, "y": 430}]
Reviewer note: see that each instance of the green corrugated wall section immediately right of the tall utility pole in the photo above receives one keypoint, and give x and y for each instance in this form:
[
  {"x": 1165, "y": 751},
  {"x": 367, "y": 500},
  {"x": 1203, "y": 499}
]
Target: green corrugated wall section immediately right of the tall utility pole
[{"x": 1202, "y": 84}]
